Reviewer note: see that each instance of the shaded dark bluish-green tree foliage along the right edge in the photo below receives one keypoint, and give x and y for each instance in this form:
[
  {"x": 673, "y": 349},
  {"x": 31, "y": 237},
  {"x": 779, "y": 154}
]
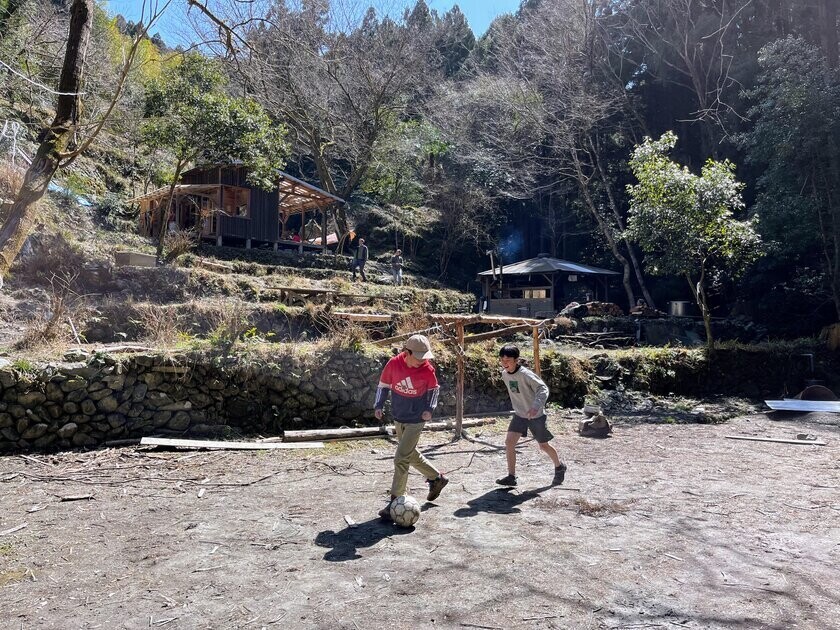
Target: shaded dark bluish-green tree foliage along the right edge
[{"x": 795, "y": 141}]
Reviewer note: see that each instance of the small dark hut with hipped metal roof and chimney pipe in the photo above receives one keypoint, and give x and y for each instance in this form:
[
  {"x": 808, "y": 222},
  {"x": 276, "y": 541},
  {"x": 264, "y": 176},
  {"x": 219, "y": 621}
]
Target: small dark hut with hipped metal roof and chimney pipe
[{"x": 541, "y": 286}]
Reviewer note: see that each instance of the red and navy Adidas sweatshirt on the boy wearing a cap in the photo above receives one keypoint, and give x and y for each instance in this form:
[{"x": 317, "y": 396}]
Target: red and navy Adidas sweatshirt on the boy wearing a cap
[{"x": 415, "y": 390}]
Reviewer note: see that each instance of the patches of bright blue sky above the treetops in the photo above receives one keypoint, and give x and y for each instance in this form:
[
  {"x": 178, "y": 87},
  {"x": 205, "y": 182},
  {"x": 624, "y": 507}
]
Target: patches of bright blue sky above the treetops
[{"x": 479, "y": 14}]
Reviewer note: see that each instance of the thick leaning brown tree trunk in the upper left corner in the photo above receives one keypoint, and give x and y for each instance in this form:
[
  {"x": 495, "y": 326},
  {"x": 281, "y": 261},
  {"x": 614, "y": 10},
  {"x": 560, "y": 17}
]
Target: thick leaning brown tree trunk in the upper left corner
[{"x": 54, "y": 140}]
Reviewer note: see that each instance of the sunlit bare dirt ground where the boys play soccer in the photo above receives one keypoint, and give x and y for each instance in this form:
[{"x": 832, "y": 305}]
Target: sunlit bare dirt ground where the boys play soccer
[{"x": 662, "y": 525}]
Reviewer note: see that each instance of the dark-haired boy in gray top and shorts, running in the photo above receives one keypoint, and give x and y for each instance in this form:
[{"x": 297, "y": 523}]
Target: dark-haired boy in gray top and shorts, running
[{"x": 528, "y": 395}]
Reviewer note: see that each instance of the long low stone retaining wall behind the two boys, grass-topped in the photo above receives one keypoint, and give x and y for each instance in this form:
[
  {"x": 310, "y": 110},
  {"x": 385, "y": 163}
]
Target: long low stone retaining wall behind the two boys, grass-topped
[{"x": 104, "y": 398}]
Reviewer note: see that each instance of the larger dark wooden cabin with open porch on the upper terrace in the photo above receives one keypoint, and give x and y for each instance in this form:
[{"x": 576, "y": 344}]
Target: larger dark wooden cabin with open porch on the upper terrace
[{"x": 225, "y": 208}]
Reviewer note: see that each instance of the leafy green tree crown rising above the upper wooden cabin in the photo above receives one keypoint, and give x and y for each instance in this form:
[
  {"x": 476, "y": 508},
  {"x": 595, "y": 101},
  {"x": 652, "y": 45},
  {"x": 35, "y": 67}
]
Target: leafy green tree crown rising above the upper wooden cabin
[{"x": 188, "y": 113}]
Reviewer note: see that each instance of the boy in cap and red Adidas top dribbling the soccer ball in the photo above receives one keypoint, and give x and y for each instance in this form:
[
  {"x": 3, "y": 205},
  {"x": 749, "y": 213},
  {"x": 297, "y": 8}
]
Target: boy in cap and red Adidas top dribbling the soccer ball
[{"x": 413, "y": 383}]
